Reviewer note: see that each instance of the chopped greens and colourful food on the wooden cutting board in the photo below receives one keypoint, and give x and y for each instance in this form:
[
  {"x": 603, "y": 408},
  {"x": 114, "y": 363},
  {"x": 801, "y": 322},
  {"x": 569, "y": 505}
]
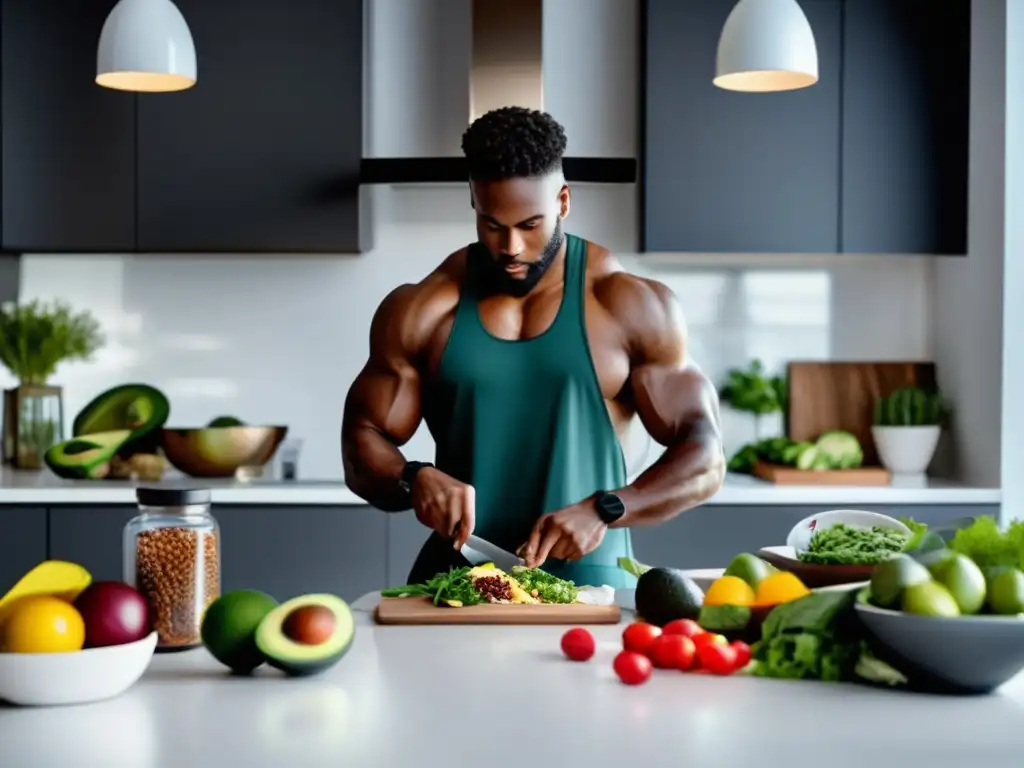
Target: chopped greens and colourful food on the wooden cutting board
[{"x": 488, "y": 584}]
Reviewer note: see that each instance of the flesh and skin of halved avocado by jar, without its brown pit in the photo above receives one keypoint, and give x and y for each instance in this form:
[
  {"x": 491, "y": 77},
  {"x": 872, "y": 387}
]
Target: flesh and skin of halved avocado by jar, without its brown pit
[{"x": 302, "y": 660}]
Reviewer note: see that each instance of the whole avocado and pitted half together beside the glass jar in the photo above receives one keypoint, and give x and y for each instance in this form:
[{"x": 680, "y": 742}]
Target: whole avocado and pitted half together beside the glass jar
[{"x": 304, "y": 636}]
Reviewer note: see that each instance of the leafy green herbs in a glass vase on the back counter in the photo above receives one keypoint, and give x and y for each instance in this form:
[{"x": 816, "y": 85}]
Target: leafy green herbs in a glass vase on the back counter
[{"x": 35, "y": 338}]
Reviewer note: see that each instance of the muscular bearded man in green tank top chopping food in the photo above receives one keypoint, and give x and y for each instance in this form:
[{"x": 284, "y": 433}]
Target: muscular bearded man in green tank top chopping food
[{"x": 528, "y": 354}]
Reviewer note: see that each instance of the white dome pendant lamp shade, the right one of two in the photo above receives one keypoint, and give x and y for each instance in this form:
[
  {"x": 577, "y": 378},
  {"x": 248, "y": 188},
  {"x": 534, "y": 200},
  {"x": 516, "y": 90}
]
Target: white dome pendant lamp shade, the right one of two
[{"x": 766, "y": 46}]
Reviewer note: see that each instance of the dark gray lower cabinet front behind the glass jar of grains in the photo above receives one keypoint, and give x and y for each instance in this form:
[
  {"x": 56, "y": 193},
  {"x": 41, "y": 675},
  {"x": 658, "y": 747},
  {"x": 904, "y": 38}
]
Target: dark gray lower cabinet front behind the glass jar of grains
[{"x": 284, "y": 551}]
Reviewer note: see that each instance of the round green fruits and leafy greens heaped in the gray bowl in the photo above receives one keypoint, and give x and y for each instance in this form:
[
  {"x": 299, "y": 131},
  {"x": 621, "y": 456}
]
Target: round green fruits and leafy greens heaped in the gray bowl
[{"x": 979, "y": 571}]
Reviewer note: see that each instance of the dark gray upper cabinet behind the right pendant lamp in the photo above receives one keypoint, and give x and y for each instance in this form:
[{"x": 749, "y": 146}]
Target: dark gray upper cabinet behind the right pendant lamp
[{"x": 873, "y": 158}]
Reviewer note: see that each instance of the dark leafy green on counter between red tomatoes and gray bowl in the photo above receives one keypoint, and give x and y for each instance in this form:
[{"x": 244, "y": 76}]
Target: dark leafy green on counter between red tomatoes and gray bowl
[{"x": 818, "y": 637}]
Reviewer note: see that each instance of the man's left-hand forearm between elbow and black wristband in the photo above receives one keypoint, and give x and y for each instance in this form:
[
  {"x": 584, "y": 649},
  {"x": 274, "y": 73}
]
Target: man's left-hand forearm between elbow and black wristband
[{"x": 373, "y": 468}]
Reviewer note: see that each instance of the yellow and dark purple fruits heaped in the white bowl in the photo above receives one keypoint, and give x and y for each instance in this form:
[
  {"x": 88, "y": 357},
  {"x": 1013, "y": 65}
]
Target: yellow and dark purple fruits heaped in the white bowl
[{"x": 58, "y": 609}]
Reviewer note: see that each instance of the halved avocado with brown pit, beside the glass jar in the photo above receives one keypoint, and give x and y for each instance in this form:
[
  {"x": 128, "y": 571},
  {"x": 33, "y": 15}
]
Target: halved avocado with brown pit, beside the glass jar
[{"x": 307, "y": 635}]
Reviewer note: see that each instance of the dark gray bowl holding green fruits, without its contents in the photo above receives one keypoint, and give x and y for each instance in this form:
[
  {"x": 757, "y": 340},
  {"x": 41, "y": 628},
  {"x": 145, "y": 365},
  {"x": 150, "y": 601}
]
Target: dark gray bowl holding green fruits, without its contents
[{"x": 964, "y": 655}]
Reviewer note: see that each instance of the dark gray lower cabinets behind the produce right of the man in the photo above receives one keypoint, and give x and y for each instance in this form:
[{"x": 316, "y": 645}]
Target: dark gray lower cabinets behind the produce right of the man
[{"x": 711, "y": 536}]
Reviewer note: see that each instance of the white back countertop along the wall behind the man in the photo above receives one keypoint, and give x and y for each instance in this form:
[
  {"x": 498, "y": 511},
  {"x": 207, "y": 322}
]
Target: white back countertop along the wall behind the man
[{"x": 45, "y": 489}]
